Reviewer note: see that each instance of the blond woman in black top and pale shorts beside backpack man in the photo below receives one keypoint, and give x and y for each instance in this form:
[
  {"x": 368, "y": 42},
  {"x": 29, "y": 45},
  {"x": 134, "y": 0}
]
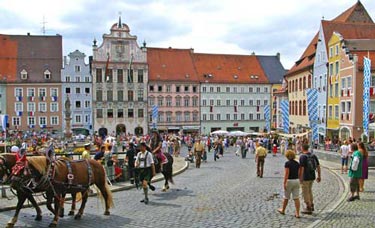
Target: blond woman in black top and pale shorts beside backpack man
[{"x": 291, "y": 183}]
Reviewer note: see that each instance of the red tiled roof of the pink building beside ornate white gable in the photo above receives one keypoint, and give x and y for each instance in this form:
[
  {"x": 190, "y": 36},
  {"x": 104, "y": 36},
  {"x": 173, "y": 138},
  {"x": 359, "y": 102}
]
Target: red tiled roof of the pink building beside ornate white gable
[{"x": 167, "y": 64}]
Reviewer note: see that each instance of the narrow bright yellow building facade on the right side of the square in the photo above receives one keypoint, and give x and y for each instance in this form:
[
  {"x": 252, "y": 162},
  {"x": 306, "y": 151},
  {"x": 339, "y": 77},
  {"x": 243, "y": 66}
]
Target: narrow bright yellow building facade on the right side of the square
[{"x": 333, "y": 88}]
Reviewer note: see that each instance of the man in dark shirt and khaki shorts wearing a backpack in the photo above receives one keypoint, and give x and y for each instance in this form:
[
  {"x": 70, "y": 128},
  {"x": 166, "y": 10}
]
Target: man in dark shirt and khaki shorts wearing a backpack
[{"x": 309, "y": 164}]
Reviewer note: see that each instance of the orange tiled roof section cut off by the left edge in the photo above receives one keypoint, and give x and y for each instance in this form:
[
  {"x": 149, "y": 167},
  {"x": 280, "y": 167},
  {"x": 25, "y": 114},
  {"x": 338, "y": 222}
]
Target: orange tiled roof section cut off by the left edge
[{"x": 8, "y": 58}]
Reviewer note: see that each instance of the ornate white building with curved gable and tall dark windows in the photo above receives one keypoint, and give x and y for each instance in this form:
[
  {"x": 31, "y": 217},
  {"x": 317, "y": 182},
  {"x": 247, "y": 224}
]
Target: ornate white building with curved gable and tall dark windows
[{"x": 120, "y": 79}]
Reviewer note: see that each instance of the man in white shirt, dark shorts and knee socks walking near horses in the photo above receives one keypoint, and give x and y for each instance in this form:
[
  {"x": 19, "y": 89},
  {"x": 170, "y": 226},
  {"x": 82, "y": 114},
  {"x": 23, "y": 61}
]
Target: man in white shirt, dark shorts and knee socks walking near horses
[{"x": 145, "y": 163}]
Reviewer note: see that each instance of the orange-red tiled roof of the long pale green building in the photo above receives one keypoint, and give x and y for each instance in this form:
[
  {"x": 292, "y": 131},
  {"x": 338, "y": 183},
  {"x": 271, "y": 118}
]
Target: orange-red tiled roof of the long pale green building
[{"x": 223, "y": 68}]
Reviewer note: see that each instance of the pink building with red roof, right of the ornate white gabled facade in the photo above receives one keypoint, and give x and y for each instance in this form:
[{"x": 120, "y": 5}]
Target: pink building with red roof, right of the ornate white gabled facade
[{"x": 173, "y": 87}]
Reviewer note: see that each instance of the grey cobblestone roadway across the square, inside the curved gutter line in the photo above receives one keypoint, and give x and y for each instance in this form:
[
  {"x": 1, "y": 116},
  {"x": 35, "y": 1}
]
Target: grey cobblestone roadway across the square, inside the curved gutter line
[{"x": 225, "y": 193}]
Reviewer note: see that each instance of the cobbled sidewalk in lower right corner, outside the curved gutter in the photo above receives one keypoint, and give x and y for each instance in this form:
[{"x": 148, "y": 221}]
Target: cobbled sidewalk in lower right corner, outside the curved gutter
[{"x": 359, "y": 213}]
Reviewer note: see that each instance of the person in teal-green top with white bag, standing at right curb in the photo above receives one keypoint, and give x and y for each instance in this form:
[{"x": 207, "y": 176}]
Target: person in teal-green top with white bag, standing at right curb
[{"x": 355, "y": 172}]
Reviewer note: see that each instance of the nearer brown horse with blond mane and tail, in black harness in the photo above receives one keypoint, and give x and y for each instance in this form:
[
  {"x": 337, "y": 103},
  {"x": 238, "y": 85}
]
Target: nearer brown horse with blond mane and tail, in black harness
[{"x": 67, "y": 177}]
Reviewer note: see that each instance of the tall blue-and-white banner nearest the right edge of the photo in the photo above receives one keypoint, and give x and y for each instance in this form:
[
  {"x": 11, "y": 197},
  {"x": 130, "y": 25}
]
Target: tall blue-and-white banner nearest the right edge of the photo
[{"x": 366, "y": 93}]
